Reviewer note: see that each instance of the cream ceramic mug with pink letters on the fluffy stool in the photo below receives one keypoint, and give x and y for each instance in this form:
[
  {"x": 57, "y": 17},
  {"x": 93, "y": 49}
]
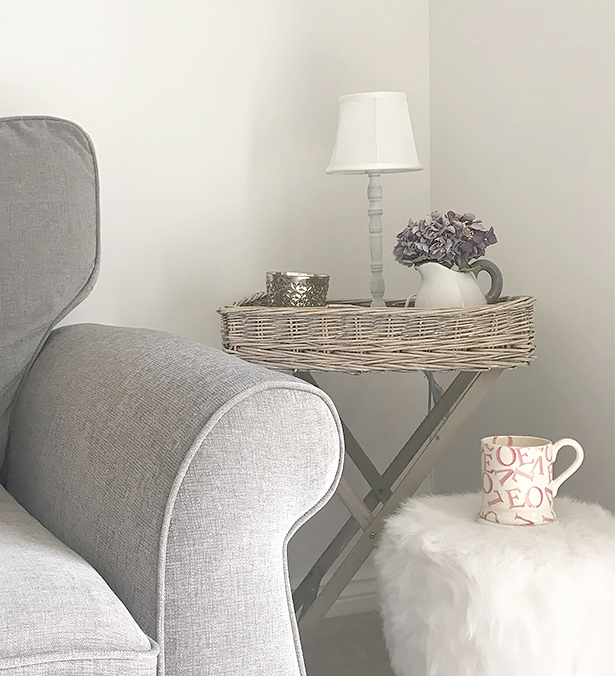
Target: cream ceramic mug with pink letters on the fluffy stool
[{"x": 517, "y": 479}]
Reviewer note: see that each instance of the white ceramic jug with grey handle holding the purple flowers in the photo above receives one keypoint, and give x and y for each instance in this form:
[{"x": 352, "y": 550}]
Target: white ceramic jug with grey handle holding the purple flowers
[{"x": 443, "y": 287}]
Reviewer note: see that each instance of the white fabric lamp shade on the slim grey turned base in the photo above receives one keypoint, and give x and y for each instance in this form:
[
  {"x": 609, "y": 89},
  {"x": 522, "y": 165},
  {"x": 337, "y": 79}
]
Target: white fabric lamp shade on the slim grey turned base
[{"x": 374, "y": 135}]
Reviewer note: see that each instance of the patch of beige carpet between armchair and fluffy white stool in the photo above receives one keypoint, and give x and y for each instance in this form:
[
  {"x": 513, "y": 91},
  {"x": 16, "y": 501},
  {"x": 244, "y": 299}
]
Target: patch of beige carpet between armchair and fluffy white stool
[{"x": 350, "y": 645}]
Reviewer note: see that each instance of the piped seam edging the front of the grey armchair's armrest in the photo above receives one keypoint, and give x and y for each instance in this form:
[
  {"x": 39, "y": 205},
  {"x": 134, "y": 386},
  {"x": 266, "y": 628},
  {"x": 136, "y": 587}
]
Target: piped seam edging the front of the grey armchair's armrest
[{"x": 182, "y": 472}]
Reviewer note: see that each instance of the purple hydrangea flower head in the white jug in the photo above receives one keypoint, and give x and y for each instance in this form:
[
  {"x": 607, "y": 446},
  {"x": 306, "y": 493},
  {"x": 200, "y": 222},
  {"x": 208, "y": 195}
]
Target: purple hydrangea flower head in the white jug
[{"x": 451, "y": 239}]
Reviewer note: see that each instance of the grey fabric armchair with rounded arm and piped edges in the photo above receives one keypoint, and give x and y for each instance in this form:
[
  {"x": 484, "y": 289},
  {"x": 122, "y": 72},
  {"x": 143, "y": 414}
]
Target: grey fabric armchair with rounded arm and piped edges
[{"x": 151, "y": 483}]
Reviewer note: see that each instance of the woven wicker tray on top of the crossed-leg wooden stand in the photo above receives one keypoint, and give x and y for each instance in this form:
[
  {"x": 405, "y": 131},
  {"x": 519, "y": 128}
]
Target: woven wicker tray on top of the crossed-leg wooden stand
[{"x": 350, "y": 336}]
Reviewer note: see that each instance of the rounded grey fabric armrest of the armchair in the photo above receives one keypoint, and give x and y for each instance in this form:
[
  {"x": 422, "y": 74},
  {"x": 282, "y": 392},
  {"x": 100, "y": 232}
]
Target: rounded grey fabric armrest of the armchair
[{"x": 179, "y": 473}]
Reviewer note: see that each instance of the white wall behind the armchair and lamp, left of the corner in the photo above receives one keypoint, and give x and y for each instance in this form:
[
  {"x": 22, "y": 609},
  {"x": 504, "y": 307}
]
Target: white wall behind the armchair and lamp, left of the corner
[{"x": 214, "y": 123}]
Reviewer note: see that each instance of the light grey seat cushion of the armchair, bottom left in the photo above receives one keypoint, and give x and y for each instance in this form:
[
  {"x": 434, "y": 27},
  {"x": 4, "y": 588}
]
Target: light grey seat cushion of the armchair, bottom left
[{"x": 57, "y": 614}]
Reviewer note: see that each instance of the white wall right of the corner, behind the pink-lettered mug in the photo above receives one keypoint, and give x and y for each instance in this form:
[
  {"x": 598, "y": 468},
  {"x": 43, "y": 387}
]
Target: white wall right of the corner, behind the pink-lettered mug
[{"x": 522, "y": 133}]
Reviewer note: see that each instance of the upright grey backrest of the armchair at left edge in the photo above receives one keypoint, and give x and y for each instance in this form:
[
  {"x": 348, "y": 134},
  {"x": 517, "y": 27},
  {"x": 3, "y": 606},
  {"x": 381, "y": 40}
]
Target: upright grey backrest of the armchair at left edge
[{"x": 49, "y": 239}]
